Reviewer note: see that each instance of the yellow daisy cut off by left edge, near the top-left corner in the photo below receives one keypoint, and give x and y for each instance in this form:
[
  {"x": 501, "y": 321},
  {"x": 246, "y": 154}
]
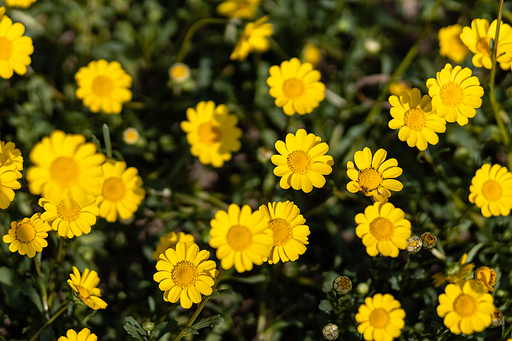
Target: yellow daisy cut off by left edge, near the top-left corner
[{"x": 15, "y": 48}]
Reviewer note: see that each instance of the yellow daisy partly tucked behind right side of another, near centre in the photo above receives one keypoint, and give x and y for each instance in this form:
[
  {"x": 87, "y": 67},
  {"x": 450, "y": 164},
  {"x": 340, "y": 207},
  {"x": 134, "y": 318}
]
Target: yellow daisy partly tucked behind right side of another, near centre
[{"x": 288, "y": 229}]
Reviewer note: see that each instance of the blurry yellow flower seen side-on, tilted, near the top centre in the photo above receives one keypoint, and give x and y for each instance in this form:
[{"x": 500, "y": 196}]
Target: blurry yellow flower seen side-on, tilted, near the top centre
[{"x": 254, "y": 38}]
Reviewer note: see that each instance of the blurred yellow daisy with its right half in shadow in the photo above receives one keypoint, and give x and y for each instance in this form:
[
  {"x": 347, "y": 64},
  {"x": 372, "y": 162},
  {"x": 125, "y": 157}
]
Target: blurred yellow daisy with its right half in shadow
[{"x": 212, "y": 133}]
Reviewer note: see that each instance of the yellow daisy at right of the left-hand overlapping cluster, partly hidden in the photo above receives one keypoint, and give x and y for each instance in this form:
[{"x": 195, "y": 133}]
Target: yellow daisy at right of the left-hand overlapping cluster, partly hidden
[{"x": 121, "y": 191}]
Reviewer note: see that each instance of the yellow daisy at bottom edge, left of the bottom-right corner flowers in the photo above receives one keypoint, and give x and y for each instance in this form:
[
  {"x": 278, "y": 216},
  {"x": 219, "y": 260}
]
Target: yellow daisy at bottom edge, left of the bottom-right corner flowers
[{"x": 380, "y": 318}]
